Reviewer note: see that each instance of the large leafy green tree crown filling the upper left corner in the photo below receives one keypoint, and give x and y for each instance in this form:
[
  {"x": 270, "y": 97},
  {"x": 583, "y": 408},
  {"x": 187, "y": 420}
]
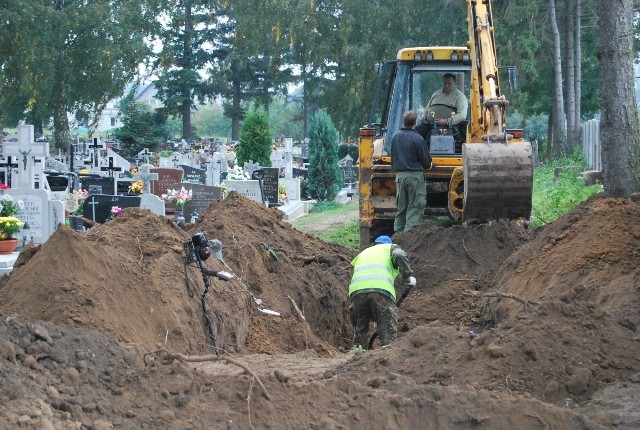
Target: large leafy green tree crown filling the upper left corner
[{"x": 81, "y": 56}]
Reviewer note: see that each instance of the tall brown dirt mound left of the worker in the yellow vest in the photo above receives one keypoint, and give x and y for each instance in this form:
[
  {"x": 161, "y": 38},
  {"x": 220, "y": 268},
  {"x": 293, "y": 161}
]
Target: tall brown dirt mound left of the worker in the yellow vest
[{"x": 126, "y": 279}]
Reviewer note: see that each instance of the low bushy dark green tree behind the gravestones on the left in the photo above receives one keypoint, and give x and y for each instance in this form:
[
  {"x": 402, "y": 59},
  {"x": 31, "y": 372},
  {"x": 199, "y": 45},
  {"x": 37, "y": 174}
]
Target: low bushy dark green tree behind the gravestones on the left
[{"x": 142, "y": 128}]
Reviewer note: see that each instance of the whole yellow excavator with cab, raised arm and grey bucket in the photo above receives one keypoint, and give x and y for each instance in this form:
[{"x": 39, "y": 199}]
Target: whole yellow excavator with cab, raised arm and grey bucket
[{"x": 480, "y": 169}]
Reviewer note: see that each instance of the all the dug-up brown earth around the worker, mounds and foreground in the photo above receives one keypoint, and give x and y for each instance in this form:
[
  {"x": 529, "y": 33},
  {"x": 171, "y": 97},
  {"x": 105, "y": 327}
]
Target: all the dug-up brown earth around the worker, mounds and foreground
[{"x": 85, "y": 318}]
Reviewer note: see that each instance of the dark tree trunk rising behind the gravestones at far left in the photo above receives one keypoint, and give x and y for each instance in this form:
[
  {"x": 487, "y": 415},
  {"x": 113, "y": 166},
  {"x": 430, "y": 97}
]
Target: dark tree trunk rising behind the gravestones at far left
[{"x": 60, "y": 119}]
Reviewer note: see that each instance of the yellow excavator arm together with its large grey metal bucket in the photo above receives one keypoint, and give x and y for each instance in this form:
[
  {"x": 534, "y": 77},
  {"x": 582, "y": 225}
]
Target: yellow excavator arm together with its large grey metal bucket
[{"x": 498, "y": 169}]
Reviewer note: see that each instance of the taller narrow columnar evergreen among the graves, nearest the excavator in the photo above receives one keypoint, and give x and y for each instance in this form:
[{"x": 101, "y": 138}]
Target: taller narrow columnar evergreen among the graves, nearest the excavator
[{"x": 324, "y": 172}]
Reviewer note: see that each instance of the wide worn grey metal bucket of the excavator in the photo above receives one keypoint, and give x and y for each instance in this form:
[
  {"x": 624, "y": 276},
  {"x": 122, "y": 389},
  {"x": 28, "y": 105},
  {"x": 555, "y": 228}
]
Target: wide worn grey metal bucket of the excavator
[{"x": 498, "y": 180}]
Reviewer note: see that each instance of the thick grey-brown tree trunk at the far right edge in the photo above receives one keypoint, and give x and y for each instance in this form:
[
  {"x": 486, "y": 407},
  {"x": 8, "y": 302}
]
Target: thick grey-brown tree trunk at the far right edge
[{"x": 619, "y": 131}]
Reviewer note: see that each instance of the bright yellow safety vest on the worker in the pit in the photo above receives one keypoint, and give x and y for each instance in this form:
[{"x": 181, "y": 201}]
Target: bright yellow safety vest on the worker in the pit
[{"x": 373, "y": 269}]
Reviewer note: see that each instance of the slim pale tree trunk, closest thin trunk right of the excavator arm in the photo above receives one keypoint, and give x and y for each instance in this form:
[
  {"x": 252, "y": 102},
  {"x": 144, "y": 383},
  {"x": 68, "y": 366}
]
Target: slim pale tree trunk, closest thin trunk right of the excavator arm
[{"x": 559, "y": 143}]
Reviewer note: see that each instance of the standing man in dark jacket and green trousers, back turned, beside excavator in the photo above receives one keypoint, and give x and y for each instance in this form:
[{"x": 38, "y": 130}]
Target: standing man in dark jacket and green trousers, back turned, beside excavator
[{"x": 409, "y": 158}]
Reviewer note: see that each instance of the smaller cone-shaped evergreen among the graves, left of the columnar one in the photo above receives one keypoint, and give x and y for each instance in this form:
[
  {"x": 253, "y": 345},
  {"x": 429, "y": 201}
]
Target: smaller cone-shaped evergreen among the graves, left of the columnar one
[{"x": 255, "y": 139}]
